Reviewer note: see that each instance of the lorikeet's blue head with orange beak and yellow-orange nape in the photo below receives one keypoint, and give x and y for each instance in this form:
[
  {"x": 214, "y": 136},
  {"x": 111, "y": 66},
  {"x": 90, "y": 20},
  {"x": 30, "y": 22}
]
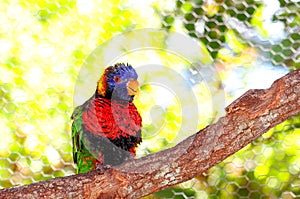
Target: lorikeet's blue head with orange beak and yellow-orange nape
[{"x": 118, "y": 82}]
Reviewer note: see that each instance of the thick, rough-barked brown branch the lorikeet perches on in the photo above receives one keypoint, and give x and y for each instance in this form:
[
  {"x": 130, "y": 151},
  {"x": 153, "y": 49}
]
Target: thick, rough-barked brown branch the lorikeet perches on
[{"x": 247, "y": 118}]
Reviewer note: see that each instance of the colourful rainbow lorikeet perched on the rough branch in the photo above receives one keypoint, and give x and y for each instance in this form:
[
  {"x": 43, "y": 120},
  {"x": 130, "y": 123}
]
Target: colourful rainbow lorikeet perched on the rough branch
[{"x": 106, "y": 129}]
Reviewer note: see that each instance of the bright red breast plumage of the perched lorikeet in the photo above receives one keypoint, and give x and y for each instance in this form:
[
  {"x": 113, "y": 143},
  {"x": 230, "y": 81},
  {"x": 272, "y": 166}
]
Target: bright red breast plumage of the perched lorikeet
[{"x": 111, "y": 119}]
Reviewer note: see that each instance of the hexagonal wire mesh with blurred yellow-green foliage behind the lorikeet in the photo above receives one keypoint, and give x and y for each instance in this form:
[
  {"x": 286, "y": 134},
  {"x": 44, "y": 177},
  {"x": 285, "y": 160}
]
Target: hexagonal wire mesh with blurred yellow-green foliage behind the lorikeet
[{"x": 44, "y": 45}]
